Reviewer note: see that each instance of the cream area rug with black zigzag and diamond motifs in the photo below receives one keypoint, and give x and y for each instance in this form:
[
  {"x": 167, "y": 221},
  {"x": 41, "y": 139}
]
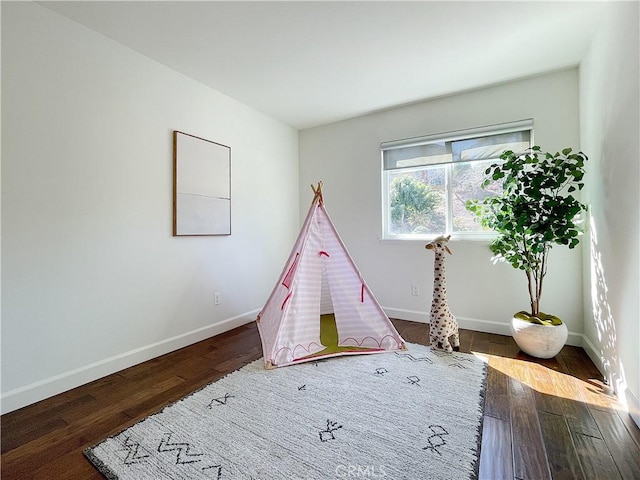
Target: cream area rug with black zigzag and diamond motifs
[{"x": 415, "y": 415}]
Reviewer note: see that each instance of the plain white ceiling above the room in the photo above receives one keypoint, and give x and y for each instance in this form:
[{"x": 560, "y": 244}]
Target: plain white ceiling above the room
[{"x": 311, "y": 63}]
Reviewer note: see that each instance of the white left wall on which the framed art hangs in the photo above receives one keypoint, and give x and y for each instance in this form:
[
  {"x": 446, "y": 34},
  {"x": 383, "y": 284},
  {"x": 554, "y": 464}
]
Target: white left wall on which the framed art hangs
[{"x": 92, "y": 279}]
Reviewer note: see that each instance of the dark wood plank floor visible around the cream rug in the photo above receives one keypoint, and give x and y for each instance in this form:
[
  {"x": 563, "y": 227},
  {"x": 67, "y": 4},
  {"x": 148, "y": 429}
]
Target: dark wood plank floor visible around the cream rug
[{"x": 544, "y": 419}]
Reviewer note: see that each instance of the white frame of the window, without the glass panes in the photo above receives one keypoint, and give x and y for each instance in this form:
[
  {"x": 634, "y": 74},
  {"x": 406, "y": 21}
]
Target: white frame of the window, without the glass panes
[{"x": 452, "y": 136}]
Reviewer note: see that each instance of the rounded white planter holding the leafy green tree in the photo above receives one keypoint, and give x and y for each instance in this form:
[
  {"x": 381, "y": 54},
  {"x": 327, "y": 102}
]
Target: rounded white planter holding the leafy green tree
[{"x": 537, "y": 340}]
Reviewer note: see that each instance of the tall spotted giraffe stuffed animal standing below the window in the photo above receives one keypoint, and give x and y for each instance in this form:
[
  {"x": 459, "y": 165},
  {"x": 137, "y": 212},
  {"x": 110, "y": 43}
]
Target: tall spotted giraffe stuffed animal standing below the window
[{"x": 443, "y": 323}]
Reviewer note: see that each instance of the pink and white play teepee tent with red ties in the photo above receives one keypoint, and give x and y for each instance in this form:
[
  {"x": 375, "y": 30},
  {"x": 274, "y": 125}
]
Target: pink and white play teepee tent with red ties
[{"x": 321, "y": 279}]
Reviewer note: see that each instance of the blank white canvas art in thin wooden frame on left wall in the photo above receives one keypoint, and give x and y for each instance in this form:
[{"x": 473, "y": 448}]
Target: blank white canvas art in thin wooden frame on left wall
[{"x": 202, "y": 186}]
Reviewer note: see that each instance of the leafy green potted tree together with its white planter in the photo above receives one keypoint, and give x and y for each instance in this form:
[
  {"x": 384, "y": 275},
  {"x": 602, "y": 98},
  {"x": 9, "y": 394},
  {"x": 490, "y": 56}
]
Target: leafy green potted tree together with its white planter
[{"x": 535, "y": 211}]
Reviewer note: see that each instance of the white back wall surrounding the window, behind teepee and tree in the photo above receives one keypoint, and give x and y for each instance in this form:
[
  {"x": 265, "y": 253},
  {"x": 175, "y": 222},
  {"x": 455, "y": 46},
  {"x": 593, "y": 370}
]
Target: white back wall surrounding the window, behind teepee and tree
[{"x": 346, "y": 156}]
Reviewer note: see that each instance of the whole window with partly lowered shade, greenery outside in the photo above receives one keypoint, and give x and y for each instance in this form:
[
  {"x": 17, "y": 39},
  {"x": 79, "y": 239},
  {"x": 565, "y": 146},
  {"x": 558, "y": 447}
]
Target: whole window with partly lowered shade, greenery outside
[{"x": 426, "y": 181}]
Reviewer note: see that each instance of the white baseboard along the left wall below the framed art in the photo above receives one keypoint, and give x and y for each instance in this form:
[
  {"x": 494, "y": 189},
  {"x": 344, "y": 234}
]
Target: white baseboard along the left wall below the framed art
[{"x": 23, "y": 396}]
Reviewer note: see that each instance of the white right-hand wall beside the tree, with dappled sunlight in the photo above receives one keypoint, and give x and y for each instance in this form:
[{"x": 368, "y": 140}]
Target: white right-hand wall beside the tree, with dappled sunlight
[{"x": 610, "y": 126}]
